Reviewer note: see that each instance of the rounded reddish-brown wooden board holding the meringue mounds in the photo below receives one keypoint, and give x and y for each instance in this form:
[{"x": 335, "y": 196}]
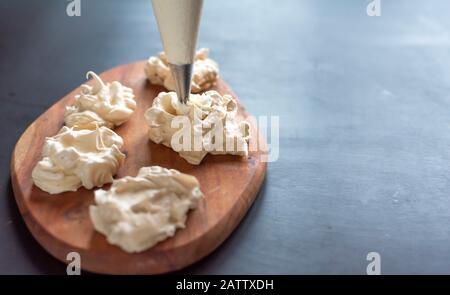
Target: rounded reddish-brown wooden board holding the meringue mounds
[{"x": 61, "y": 223}]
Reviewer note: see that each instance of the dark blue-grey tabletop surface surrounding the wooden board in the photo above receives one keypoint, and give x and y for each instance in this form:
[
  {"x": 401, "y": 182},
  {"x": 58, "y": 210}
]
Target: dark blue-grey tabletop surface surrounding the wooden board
[{"x": 364, "y": 107}]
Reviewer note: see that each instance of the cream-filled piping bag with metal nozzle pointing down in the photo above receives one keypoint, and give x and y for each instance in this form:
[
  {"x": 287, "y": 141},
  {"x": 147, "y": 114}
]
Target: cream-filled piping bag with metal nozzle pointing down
[{"x": 178, "y": 22}]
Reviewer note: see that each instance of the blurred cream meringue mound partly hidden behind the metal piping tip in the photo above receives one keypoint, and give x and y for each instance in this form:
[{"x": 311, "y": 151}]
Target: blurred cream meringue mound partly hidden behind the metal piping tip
[{"x": 204, "y": 74}]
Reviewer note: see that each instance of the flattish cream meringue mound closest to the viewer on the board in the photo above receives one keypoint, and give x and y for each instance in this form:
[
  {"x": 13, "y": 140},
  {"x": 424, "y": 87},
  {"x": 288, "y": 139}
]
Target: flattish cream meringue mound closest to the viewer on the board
[{"x": 138, "y": 212}]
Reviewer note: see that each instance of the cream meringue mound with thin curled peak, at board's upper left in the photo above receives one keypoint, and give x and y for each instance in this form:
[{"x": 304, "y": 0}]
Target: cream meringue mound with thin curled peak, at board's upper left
[{"x": 103, "y": 104}]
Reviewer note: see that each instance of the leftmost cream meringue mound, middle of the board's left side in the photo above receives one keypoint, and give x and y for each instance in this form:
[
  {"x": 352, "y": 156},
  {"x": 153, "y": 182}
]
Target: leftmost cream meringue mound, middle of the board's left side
[{"x": 74, "y": 158}]
